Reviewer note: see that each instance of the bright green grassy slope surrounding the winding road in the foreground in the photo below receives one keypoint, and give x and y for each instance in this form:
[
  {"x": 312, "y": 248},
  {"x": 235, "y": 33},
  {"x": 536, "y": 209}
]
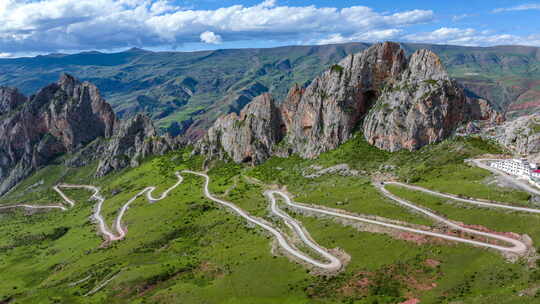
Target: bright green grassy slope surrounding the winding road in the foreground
[{"x": 187, "y": 249}]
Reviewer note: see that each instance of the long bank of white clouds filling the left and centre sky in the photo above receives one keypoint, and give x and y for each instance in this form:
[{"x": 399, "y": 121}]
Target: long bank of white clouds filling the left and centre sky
[{"x": 54, "y": 25}]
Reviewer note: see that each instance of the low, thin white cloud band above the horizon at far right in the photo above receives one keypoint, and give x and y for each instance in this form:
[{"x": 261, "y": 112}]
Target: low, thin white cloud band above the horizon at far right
[{"x": 471, "y": 37}]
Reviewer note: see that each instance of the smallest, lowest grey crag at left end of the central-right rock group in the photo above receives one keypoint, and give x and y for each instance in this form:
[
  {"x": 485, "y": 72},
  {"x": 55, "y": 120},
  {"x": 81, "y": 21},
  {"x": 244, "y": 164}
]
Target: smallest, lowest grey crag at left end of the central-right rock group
[{"x": 248, "y": 137}]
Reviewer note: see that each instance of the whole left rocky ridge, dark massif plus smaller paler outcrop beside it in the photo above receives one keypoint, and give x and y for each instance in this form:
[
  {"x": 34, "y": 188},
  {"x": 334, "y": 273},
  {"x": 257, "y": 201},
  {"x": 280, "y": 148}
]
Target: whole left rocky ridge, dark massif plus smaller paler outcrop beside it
[{"x": 69, "y": 117}]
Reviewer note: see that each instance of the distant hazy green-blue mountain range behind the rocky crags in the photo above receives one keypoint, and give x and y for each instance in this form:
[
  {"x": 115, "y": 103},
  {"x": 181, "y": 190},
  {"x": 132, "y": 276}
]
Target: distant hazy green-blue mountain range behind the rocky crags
[{"x": 187, "y": 91}]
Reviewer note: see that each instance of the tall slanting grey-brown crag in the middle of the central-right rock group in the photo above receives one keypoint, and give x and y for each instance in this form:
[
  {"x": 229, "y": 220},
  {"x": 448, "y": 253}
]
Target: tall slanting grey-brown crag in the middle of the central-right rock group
[{"x": 332, "y": 106}]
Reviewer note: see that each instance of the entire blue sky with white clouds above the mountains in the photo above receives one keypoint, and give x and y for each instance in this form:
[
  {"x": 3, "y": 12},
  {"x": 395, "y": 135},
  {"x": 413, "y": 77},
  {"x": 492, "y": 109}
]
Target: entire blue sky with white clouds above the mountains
[{"x": 29, "y": 27}]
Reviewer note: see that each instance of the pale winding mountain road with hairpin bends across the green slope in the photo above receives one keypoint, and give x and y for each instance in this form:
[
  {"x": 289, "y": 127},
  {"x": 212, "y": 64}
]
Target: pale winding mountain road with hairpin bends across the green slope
[{"x": 326, "y": 259}]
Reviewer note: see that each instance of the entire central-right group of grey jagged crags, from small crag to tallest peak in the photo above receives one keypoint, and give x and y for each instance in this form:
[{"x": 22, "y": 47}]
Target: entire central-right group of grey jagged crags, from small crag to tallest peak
[{"x": 403, "y": 103}]
